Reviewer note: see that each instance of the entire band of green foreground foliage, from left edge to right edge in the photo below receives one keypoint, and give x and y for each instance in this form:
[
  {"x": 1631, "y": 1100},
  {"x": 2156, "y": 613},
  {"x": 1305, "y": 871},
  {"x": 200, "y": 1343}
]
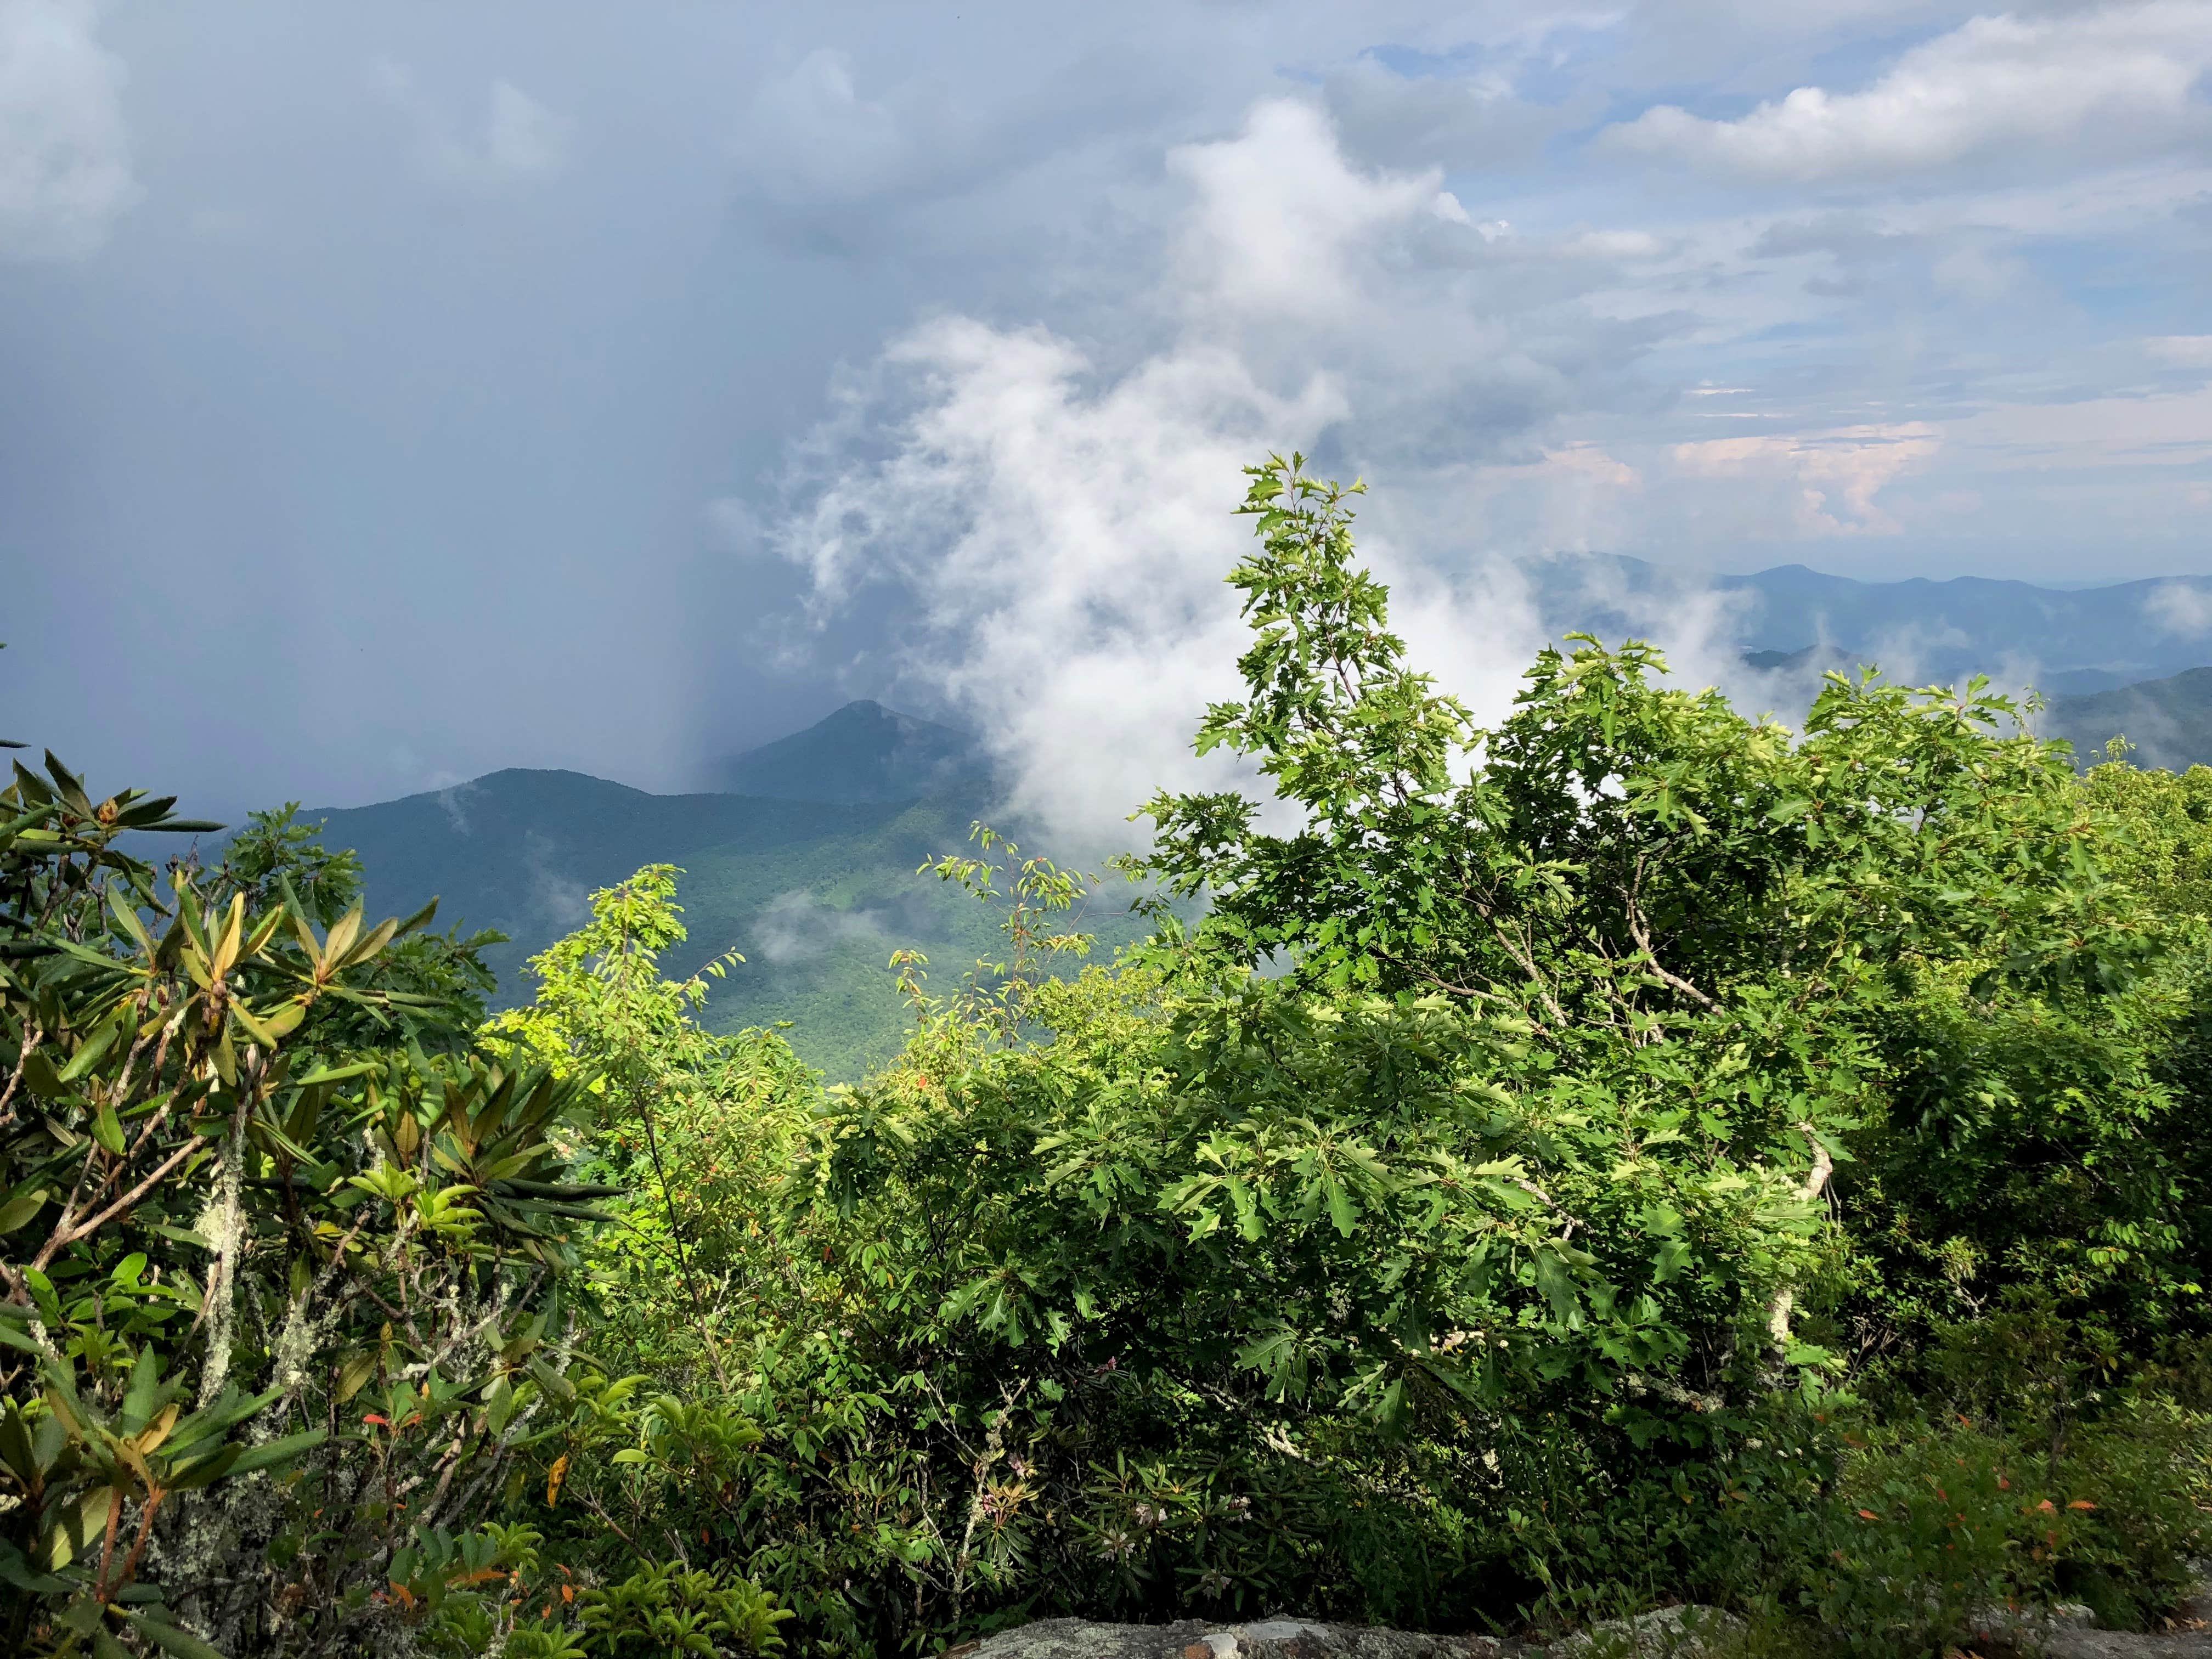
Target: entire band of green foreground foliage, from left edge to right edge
[{"x": 1627, "y": 1156}]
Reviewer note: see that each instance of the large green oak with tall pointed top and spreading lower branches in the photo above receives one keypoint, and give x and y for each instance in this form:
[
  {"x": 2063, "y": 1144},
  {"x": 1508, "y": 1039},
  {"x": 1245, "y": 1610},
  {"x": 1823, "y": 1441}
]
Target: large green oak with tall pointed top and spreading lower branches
[{"x": 1510, "y": 1087}]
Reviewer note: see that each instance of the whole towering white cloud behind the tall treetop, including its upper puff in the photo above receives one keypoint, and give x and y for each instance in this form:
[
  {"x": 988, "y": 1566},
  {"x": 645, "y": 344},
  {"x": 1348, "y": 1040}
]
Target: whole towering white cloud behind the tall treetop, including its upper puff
[{"x": 1056, "y": 528}]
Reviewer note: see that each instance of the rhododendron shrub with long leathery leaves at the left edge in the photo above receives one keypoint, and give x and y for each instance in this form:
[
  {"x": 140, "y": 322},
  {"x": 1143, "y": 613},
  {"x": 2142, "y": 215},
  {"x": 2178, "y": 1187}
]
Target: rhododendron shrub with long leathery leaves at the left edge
[{"x": 275, "y": 1306}]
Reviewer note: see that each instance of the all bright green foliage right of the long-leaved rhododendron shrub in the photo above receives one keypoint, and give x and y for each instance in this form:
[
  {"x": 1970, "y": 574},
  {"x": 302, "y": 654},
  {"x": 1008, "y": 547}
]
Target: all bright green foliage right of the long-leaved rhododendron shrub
[{"x": 1485, "y": 1209}]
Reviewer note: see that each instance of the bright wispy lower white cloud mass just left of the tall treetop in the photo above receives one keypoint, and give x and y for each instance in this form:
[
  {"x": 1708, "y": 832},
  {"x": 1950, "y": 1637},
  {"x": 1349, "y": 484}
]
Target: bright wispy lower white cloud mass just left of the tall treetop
[{"x": 1058, "y": 543}]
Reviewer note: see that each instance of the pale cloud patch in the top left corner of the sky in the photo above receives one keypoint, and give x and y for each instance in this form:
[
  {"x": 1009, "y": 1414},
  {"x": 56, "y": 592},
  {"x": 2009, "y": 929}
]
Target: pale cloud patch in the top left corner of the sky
[{"x": 65, "y": 152}]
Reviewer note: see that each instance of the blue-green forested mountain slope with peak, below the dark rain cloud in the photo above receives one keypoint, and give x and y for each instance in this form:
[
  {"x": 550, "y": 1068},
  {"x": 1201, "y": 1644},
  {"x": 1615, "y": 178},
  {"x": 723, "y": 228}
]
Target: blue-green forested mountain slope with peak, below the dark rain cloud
[{"x": 813, "y": 893}]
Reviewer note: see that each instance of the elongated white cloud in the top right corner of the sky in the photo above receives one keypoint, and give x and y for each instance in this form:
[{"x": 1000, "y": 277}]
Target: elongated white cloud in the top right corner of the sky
[{"x": 2100, "y": 81}]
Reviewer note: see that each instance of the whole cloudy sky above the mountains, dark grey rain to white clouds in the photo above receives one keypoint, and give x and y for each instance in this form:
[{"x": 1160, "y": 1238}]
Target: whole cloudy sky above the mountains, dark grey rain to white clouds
[{"x": 404, "y": 393}]
